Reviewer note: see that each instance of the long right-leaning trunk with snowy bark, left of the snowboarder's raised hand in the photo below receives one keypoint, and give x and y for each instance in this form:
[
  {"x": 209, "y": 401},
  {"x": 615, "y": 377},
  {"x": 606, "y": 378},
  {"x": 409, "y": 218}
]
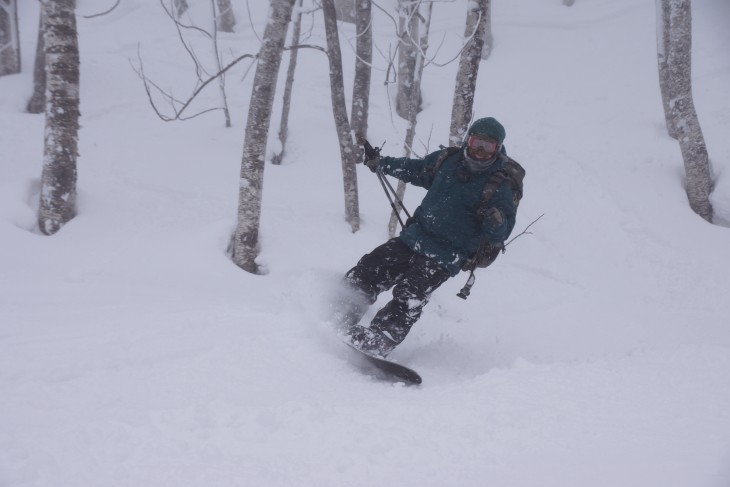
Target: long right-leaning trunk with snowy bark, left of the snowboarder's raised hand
[{"x": 246, "y": 237}]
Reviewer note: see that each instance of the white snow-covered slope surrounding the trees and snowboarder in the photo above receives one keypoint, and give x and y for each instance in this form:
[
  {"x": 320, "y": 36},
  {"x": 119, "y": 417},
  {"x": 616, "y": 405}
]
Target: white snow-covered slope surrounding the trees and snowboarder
[{"x": 595, "y": 352}]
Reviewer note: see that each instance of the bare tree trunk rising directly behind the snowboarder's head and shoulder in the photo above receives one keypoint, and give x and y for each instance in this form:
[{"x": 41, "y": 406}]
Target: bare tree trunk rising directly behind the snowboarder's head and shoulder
[{"x": 466, "y": 78}]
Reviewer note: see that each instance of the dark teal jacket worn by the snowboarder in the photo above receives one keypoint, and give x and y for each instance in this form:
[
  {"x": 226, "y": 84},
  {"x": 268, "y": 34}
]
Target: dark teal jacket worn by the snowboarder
[{"x": 446, "y": 226}]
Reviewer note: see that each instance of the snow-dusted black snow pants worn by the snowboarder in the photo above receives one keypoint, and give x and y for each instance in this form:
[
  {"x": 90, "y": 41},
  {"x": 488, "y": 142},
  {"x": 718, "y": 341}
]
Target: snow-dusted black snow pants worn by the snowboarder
[{"x": 413, "y": 278}]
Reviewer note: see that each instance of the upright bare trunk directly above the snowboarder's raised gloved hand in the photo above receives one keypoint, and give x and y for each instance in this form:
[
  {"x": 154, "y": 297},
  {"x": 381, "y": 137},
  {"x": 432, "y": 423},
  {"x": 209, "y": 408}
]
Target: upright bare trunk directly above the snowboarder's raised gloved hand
[{"x": 363, "y": 68}]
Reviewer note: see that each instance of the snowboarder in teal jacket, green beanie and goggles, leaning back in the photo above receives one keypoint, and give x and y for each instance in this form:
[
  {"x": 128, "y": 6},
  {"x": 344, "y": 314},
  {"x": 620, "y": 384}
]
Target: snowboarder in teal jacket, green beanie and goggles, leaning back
[{"x": 452, "y": 229}]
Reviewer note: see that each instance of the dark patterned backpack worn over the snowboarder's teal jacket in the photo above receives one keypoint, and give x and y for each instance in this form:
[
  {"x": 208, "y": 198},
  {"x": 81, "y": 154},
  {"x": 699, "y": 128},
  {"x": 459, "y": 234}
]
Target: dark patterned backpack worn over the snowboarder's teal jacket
[{"x": 515, "y": 174}]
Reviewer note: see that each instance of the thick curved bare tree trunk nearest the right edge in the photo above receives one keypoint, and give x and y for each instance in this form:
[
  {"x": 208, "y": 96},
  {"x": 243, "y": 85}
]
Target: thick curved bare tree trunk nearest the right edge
[{"x": 689, "y": 133}]
